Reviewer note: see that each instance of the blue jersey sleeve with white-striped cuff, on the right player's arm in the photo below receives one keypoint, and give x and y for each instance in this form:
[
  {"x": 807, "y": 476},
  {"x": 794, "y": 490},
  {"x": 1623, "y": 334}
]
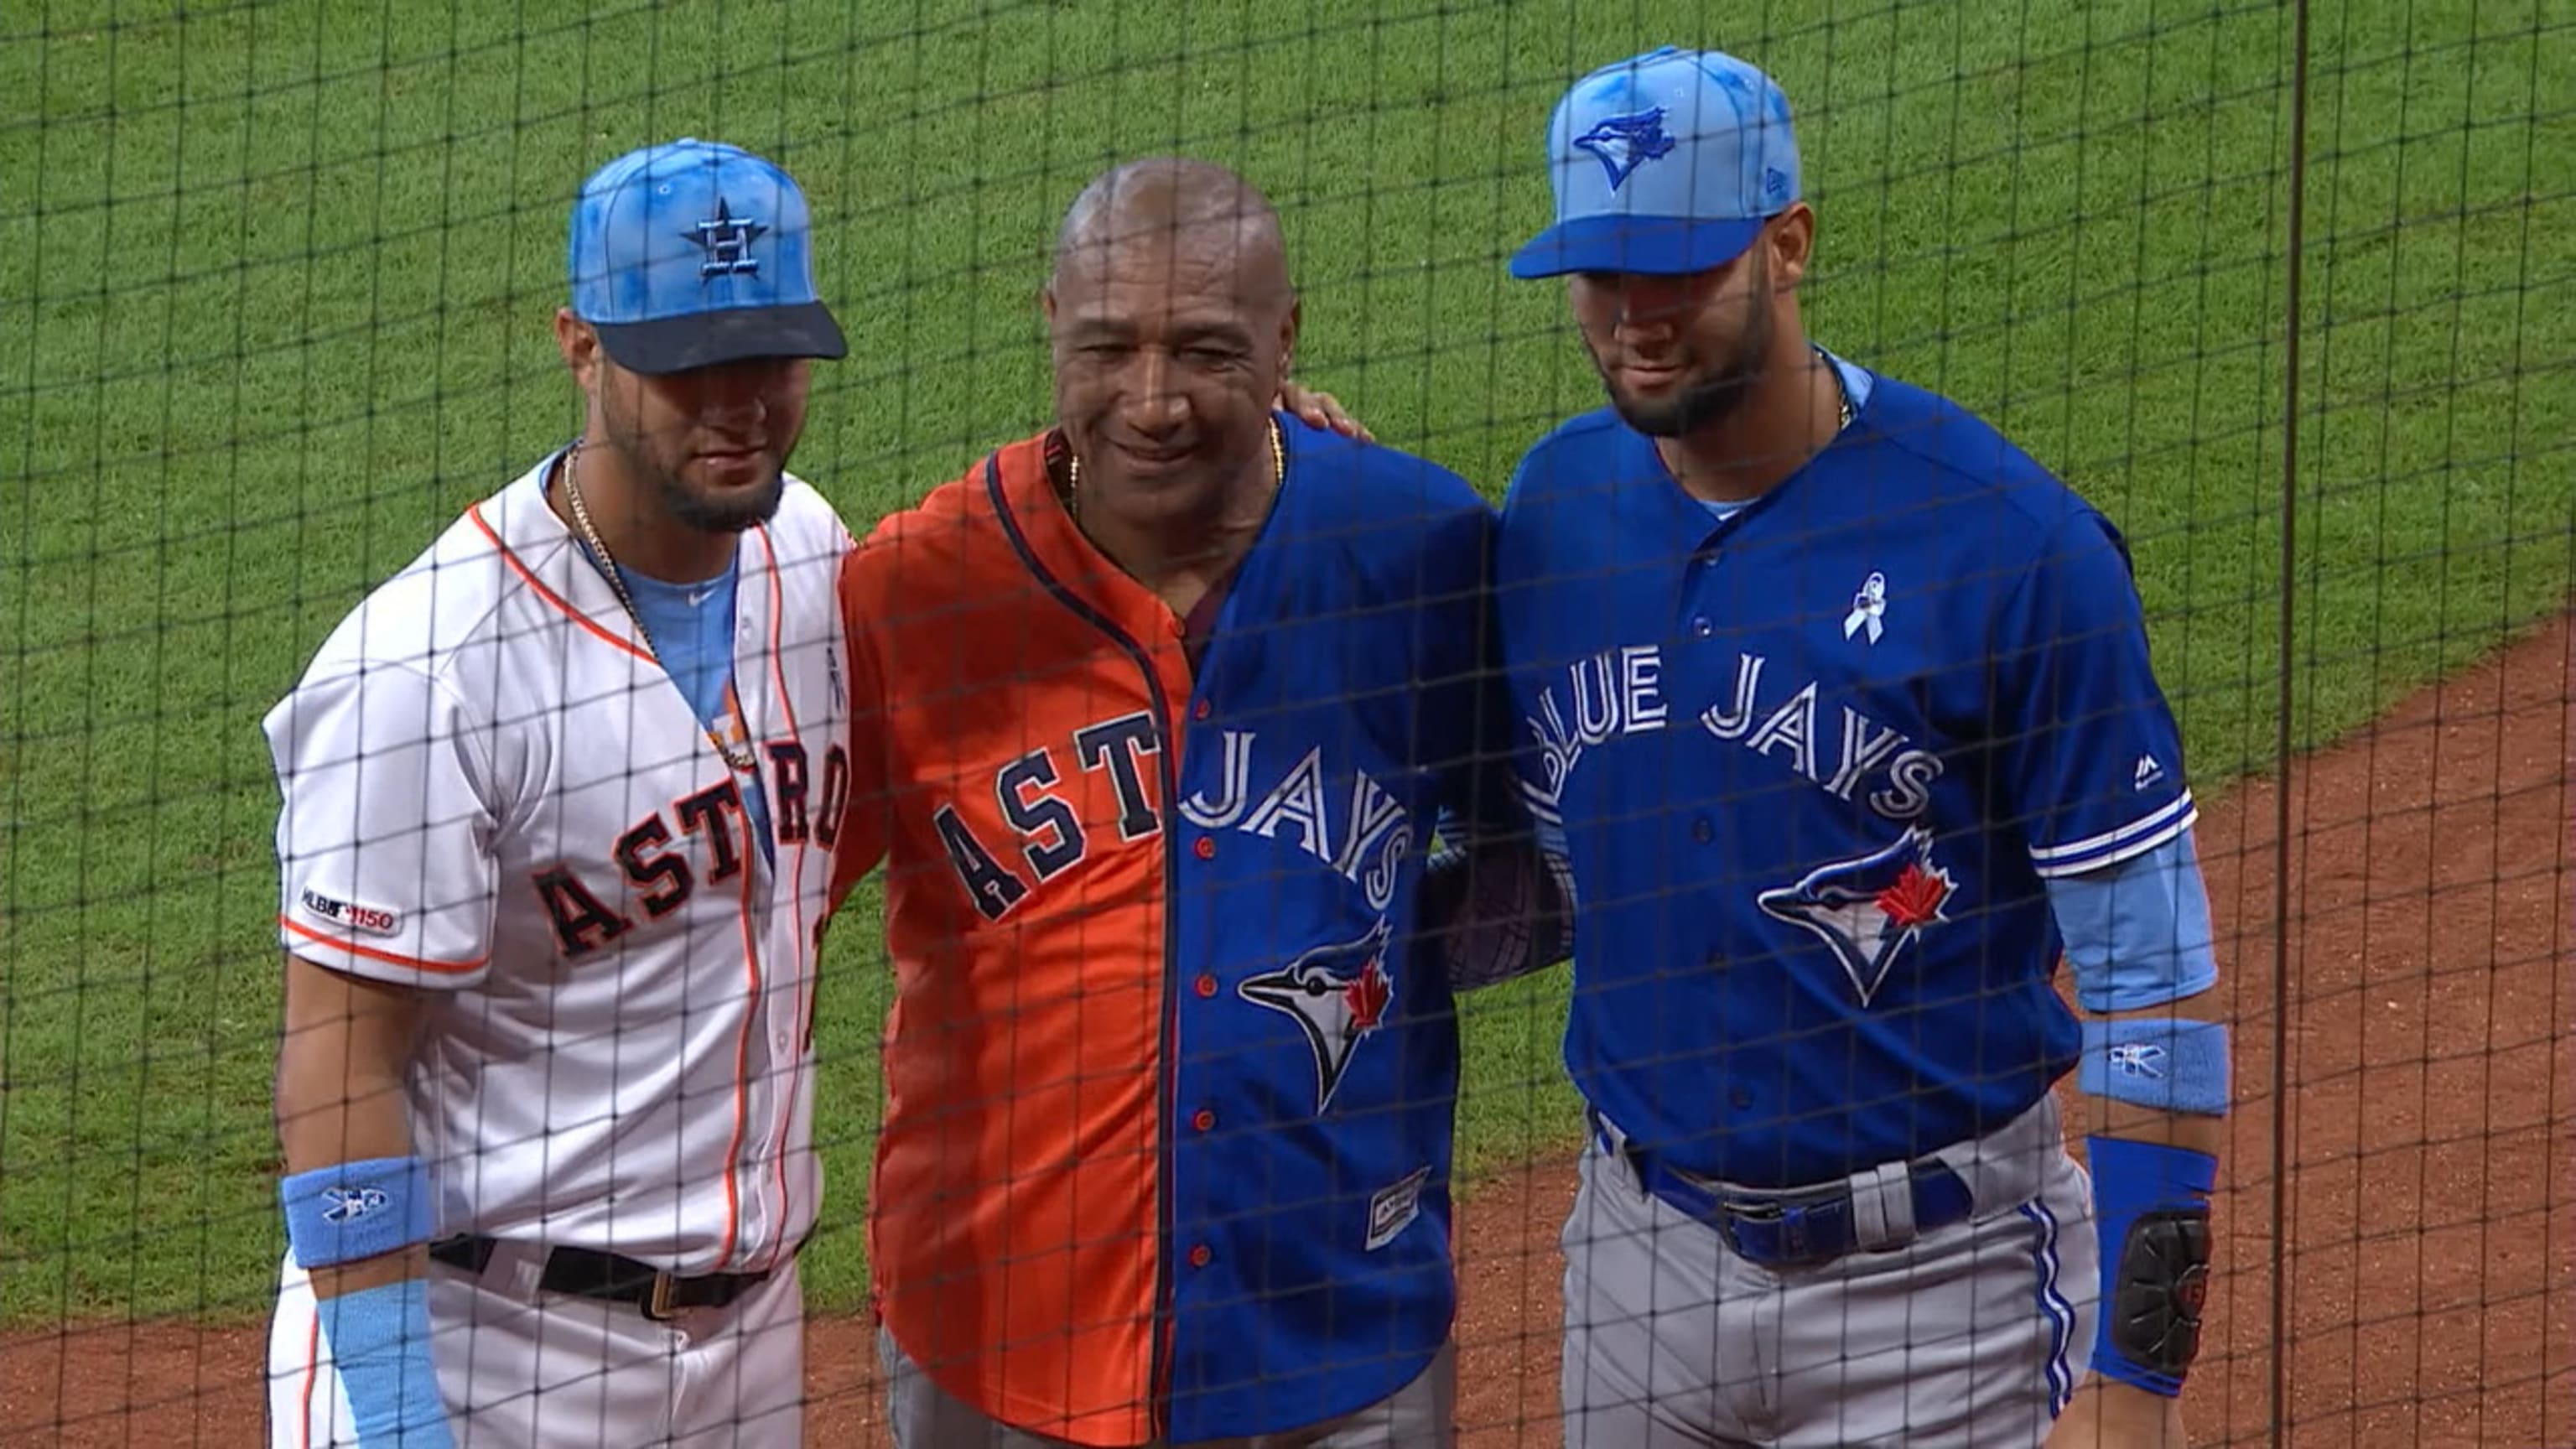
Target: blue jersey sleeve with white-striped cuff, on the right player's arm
[{"x": 2090, "y": 757}]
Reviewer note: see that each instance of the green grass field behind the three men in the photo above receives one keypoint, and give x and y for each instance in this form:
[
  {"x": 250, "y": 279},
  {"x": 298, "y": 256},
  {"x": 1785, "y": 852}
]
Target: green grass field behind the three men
[{"x": 277, "y": 290}]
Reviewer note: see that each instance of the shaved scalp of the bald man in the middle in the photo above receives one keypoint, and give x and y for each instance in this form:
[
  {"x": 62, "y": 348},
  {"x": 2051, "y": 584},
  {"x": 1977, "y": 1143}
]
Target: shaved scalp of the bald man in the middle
[{"x": 1186, "y": 210}]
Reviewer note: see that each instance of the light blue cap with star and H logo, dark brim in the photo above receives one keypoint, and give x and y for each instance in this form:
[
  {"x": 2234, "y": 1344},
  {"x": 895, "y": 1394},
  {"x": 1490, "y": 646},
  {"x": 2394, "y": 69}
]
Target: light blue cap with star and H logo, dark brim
[{"x": 697, "y": 254}]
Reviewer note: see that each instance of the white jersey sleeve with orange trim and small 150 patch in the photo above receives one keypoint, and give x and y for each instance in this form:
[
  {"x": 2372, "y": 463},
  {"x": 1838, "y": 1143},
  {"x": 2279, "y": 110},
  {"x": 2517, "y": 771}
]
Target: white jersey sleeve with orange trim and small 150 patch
[{"x": 388, "y": 839}]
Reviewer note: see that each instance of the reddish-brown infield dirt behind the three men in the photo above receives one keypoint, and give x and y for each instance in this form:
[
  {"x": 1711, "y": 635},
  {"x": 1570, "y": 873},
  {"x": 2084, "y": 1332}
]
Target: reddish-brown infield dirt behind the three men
[{"x": 2433, "y": 1229}]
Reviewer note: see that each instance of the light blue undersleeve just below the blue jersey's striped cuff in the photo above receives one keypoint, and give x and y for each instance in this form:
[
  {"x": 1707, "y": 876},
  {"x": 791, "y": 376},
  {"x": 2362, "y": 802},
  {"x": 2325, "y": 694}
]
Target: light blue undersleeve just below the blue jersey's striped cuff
[{"x": 2139, "y": 932}]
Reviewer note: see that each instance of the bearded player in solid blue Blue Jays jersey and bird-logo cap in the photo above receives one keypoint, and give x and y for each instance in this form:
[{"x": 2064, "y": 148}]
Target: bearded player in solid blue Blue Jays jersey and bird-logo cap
[{"x": 1843, "y": 721}]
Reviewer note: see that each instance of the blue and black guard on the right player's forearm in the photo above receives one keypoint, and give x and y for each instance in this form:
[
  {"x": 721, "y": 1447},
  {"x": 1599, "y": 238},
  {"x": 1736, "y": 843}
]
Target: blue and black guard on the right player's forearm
[{"x": 2152, "y": 1216}]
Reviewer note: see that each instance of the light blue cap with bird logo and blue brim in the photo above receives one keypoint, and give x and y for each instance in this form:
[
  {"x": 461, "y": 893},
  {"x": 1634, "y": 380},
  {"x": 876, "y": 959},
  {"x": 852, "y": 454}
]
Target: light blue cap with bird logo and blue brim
[{"x": 1665, "y": 164}]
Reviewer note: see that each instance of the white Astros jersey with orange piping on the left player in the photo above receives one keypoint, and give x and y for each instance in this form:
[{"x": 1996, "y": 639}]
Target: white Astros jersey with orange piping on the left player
[{"x": 496, "y": 793}]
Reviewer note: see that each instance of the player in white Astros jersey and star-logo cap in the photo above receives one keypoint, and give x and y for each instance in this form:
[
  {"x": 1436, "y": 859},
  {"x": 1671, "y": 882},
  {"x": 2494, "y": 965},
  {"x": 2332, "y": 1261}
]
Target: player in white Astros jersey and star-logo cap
[{"x": 555, "y": 842}]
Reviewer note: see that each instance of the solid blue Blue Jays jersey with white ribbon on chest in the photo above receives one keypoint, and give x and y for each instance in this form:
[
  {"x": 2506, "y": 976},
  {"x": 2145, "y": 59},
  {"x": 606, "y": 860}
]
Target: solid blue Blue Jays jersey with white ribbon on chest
[{"x": 1812, "y": 767}]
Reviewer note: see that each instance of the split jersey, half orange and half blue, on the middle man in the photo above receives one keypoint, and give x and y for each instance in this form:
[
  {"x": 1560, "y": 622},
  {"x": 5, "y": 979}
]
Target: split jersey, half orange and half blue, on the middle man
[{"x": 1171, "y": 1071}]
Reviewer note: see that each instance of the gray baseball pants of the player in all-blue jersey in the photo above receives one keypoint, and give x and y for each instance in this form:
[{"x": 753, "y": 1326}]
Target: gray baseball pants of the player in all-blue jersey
[{"x": 1969, "y": 1337}]
